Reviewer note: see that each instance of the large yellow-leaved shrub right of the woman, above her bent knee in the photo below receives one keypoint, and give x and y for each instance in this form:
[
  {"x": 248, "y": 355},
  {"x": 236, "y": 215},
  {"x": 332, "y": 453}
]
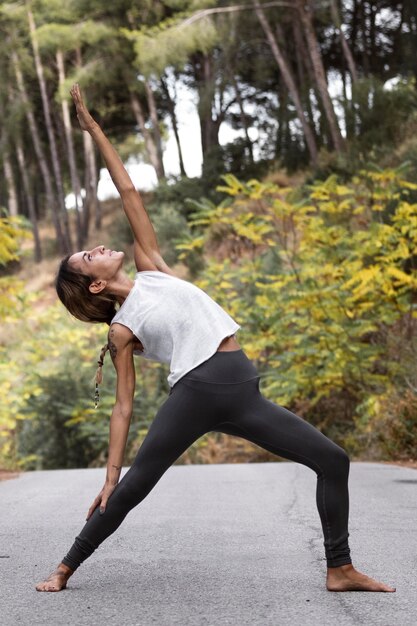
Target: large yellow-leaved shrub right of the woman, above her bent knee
[{"x": 332, "y": 320}]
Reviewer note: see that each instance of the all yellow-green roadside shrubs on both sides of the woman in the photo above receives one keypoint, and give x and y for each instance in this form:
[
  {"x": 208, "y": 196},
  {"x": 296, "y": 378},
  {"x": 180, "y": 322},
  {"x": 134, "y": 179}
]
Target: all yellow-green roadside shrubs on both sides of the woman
[{"x": 322, "y": 279}]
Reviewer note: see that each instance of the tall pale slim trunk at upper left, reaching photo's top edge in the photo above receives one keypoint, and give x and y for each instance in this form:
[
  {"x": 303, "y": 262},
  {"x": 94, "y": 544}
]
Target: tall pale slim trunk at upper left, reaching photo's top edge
[{"x": 49, "y": 128}]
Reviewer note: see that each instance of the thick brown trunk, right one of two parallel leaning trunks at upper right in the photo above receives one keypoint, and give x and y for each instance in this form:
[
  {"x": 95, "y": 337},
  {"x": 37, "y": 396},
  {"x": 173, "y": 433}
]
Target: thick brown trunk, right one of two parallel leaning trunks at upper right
[{"x": 305, "y": 14}]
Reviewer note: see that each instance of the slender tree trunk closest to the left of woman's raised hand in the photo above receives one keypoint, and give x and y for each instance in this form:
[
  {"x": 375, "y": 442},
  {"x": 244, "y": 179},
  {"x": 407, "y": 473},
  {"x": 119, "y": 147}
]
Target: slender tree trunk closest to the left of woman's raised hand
[{"x": 75, "y": 180}]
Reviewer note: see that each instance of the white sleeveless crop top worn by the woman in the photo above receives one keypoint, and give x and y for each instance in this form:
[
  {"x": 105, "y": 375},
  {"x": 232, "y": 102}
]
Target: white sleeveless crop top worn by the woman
[{"x": 176, "y": 322}]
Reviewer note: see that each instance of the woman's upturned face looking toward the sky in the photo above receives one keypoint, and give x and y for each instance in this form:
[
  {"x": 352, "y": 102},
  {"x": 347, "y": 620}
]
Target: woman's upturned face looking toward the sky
[{"x": 100, "y": 263}]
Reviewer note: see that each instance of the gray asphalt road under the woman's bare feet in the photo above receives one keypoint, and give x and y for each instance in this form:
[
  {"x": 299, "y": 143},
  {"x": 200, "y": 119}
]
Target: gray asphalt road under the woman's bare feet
[{"x": 210, "y": 545}]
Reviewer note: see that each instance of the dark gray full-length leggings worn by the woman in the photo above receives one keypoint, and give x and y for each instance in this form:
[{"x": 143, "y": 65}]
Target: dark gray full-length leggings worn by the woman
[{"x": 222, "y": 395}]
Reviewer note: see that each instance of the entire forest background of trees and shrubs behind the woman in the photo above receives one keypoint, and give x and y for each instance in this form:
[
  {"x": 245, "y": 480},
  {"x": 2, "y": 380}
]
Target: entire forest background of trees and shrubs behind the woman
[{"x": 303, "y": 225}]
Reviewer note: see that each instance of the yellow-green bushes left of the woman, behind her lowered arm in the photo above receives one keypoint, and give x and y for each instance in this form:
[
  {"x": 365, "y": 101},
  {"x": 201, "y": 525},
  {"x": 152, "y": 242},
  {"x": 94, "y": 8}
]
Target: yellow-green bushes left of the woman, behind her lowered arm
[{"x": 47, "y": 417}]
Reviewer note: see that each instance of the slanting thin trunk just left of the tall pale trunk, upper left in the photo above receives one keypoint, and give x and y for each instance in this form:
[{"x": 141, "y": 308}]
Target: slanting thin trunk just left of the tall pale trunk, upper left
[{"x": 43, "y": 164}]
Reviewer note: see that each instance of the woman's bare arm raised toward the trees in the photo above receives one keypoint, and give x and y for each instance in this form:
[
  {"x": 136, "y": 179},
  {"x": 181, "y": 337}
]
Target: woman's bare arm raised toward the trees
[{"x": 133, "y": 206}]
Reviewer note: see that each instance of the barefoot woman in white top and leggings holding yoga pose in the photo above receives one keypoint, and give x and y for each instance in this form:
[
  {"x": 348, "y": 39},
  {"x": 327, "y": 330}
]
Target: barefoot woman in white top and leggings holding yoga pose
[{"x": 214, "y": 386}]
